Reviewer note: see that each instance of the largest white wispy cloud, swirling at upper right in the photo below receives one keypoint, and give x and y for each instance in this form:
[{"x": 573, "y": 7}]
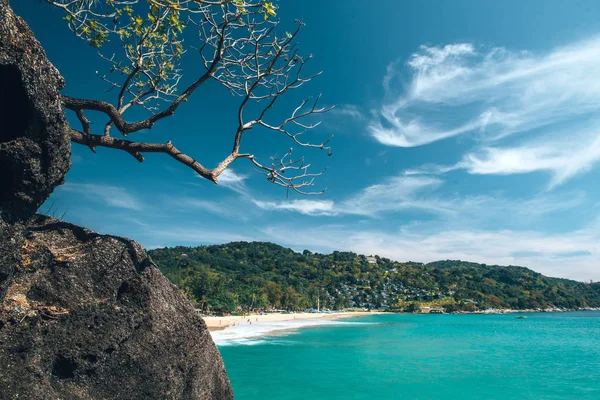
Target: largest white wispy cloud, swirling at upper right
[{"x": 457, "y": 89}]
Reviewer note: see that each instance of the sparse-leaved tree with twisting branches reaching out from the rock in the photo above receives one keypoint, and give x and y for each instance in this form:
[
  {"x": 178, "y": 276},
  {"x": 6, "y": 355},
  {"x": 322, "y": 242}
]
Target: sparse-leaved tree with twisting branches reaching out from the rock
[{"x": 238, "y": 45}]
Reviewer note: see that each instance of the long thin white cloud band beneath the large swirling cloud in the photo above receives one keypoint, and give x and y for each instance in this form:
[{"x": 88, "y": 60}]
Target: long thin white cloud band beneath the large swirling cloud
[{"x": 404, "y": 194}]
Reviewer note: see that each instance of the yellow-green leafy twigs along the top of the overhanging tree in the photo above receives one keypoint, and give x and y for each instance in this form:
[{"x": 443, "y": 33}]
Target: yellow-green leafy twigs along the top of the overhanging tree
[{"x": 146, "y": 36}]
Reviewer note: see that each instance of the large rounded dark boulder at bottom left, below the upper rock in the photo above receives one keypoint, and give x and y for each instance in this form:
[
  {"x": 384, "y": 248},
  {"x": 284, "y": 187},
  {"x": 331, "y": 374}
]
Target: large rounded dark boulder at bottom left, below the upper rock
[{"x": 87, "y": 316}]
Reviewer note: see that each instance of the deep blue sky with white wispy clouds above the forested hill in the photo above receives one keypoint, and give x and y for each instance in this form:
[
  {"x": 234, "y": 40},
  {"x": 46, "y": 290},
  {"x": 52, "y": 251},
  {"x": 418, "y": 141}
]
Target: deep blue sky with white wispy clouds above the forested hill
[{"x": 463, "y": 130}]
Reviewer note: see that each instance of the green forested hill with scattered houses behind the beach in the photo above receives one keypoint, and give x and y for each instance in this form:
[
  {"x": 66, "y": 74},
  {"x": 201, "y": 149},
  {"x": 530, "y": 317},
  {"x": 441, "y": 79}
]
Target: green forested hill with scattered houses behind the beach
[{"x": 257, "y": 275}]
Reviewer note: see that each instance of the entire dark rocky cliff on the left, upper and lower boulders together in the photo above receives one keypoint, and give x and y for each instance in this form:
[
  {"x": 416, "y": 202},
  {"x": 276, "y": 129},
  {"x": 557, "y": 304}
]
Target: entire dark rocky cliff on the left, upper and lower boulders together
[{"x": 82, "y": 315}]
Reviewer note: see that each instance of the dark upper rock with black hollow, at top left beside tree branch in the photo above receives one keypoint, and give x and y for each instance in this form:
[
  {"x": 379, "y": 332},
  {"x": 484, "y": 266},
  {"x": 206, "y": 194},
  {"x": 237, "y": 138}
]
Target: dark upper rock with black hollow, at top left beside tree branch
[{"x": 34, "y": 142}]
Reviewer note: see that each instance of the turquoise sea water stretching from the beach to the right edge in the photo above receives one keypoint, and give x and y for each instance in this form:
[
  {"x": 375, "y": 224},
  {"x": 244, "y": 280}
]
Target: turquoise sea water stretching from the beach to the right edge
[{"x": 545, "y": 356}]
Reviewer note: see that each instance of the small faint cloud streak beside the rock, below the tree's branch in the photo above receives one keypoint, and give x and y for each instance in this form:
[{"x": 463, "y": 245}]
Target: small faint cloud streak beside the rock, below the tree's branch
[{"x": 112, "y": 196}]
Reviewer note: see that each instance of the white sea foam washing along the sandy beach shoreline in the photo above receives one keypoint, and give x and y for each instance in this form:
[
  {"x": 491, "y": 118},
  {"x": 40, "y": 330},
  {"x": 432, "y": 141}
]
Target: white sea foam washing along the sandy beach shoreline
[{"x": 248, "y": 333}]
